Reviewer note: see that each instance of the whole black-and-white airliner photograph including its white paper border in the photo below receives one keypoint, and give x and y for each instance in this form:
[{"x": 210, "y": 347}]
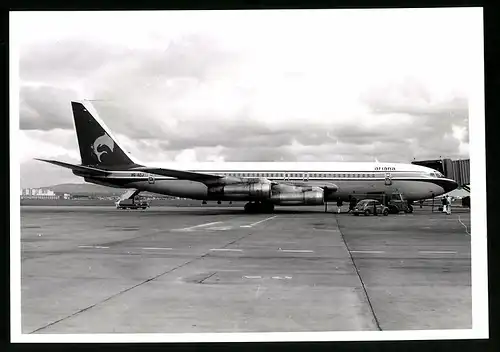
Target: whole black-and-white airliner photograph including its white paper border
[{"x": 247, "y": 175}]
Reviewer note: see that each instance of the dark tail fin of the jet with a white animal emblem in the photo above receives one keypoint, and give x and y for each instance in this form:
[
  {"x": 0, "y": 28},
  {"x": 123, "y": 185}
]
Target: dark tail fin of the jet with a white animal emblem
[{"x": 98, "y": 147}]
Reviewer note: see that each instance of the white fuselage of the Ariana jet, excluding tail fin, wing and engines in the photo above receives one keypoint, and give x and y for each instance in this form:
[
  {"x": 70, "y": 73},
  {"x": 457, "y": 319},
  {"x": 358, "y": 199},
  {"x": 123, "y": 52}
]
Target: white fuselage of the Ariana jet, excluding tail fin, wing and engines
[{"x": 353, "y": 179}]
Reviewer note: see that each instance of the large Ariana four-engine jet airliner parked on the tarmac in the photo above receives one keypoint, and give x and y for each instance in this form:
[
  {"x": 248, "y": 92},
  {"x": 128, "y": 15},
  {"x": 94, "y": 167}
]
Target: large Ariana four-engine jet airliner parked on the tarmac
[{"x": 262, "y": 184}]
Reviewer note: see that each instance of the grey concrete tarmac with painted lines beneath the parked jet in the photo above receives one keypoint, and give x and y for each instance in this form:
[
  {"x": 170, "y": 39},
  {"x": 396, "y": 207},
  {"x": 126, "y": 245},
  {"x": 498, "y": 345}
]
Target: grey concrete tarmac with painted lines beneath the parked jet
[{"x": 96, "y": 269}]
